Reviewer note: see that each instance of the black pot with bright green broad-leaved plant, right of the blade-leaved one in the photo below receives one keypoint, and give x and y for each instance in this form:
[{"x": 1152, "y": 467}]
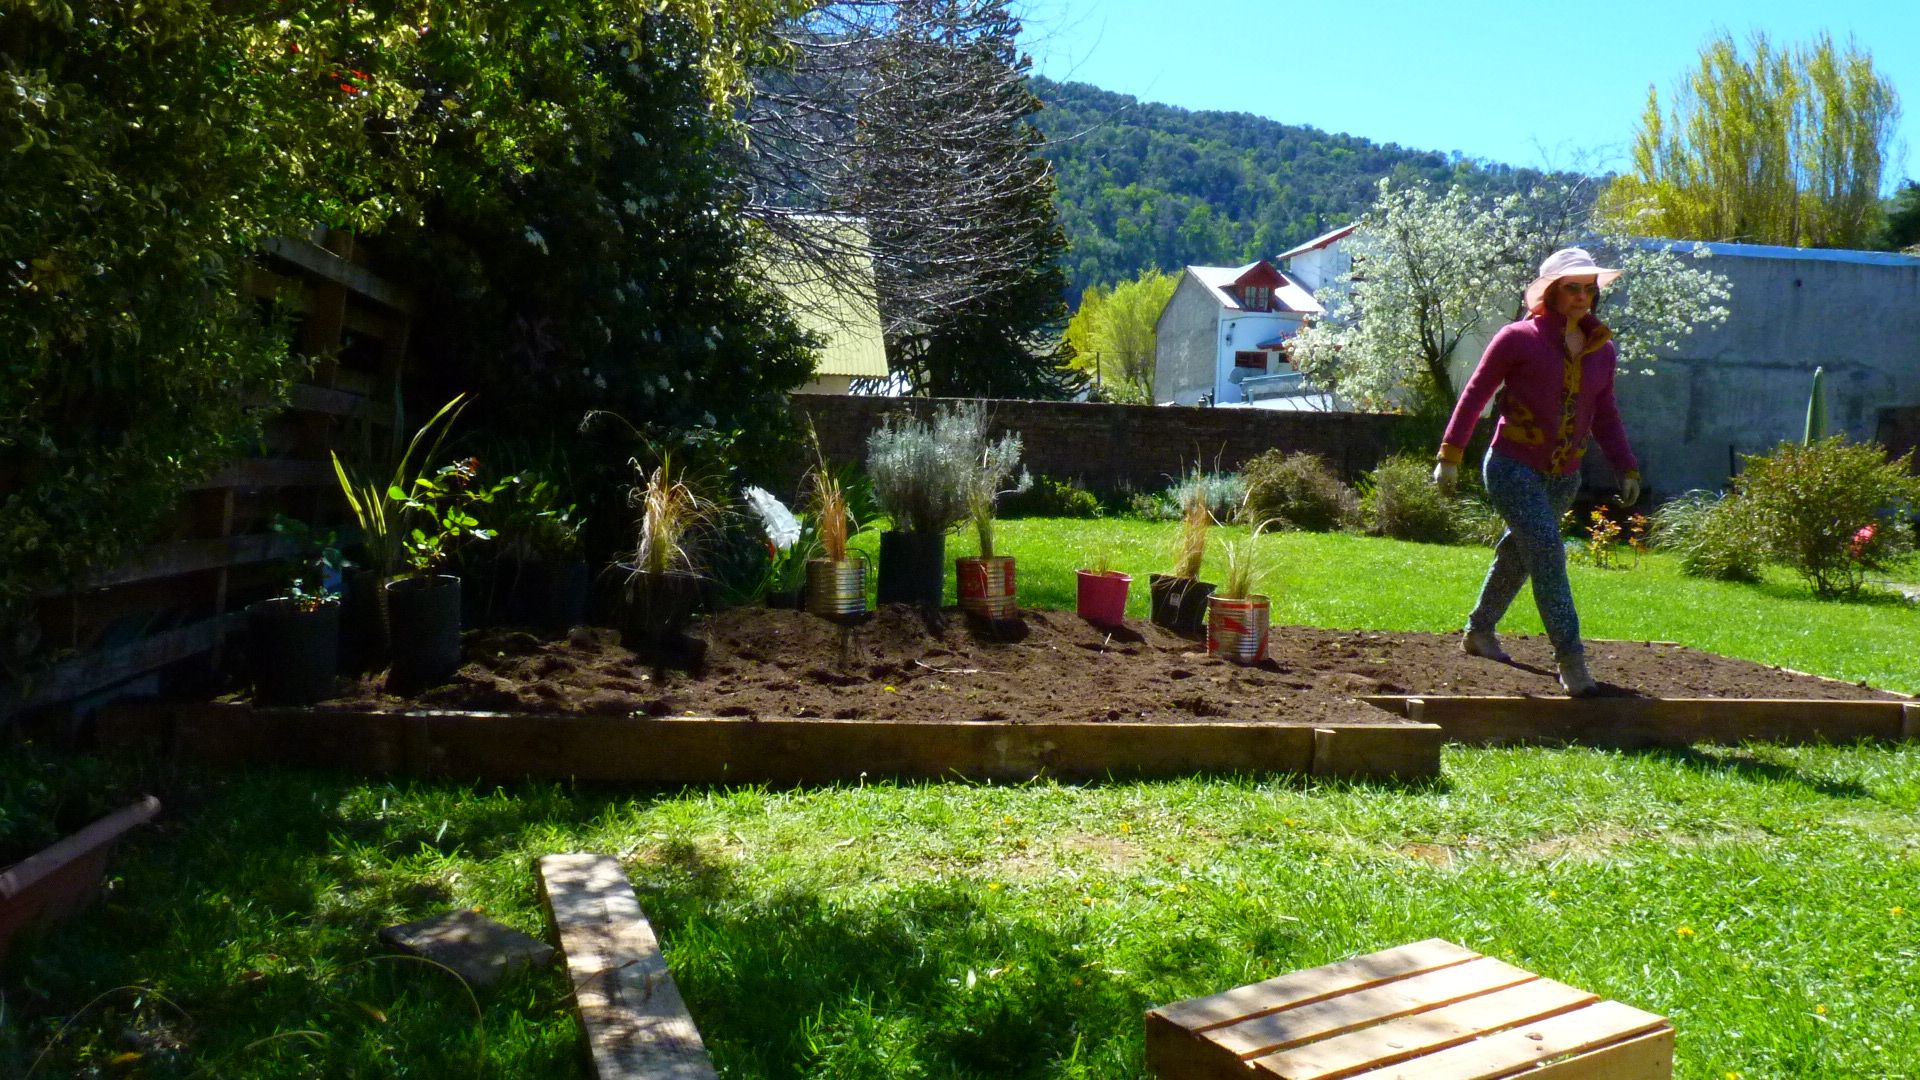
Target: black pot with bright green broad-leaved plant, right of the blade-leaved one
[{"x": 423, "y": 606}]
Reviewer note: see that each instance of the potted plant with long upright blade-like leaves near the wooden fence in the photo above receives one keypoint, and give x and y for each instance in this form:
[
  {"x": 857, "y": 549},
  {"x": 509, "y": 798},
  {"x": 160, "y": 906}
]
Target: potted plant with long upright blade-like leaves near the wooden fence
[{"x": 379, "y": 510}]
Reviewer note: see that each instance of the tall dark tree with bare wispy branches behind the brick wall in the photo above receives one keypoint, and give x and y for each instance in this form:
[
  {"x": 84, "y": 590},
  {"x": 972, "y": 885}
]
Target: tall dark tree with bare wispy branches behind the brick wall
[{"x": 913, "y": 118}]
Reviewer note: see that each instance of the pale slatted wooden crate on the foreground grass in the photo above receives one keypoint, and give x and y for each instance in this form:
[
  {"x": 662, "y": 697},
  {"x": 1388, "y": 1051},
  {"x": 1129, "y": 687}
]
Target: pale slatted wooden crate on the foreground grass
[{"x": 1424, "y": 1012}]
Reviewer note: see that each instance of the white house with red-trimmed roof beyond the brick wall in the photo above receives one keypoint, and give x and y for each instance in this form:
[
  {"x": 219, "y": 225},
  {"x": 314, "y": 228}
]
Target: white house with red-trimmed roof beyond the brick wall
[{"x": 1230, "y": 326}]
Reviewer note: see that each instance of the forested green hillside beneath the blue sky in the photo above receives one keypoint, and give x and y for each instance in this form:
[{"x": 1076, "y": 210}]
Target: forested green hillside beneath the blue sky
[{"x": 1145, "y": 185}]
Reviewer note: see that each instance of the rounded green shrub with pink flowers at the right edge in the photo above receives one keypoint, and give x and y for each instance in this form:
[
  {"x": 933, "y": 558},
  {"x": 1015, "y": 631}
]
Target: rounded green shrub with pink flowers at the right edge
[{"x": 1833, "y": 510}]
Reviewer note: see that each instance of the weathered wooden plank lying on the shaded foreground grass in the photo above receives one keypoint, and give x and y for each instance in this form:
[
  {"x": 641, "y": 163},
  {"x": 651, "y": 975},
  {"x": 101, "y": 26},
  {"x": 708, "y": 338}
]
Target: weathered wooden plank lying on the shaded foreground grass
[{"x": 633, "y": 1014}]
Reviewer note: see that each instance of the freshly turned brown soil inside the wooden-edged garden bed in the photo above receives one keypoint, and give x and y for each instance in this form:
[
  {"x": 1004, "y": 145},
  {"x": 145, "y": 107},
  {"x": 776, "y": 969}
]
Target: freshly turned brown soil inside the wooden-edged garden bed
[{"x": 1047, "y": 666}]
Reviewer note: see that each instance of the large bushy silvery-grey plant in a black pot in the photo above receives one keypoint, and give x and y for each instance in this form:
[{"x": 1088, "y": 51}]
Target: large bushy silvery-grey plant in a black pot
[{"x": 919, "y": 472}]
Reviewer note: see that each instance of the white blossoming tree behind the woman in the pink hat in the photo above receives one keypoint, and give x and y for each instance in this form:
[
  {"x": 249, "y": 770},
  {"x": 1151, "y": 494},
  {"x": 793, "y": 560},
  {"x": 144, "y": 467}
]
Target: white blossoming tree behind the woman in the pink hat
[{"x": 1431, "y": 270}]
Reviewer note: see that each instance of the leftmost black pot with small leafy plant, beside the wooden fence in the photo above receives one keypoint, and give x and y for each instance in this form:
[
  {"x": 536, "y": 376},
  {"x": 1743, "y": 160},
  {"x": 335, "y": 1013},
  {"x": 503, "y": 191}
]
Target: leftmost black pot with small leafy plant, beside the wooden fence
[{"x": 293, "y": 641}]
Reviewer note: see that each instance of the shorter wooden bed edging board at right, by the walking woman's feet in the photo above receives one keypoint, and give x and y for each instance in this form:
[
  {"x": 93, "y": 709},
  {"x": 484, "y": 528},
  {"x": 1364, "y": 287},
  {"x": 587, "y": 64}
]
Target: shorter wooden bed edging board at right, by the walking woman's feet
[{"x": 1633, "y": 724}]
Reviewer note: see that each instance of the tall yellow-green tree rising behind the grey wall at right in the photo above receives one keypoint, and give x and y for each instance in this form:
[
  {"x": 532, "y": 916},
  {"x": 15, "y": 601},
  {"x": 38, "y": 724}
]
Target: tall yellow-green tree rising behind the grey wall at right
[{"x": 1764, "y": 147}]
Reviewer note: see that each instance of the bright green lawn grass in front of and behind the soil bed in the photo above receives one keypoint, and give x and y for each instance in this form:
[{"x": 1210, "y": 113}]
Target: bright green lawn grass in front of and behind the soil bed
[{"x": 1765, "y": 898}]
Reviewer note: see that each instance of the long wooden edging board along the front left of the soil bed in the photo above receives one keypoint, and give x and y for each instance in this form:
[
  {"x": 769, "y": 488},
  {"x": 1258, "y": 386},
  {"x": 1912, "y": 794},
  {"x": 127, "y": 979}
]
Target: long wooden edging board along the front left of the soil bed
[{"x": 692, "y": 750}]
